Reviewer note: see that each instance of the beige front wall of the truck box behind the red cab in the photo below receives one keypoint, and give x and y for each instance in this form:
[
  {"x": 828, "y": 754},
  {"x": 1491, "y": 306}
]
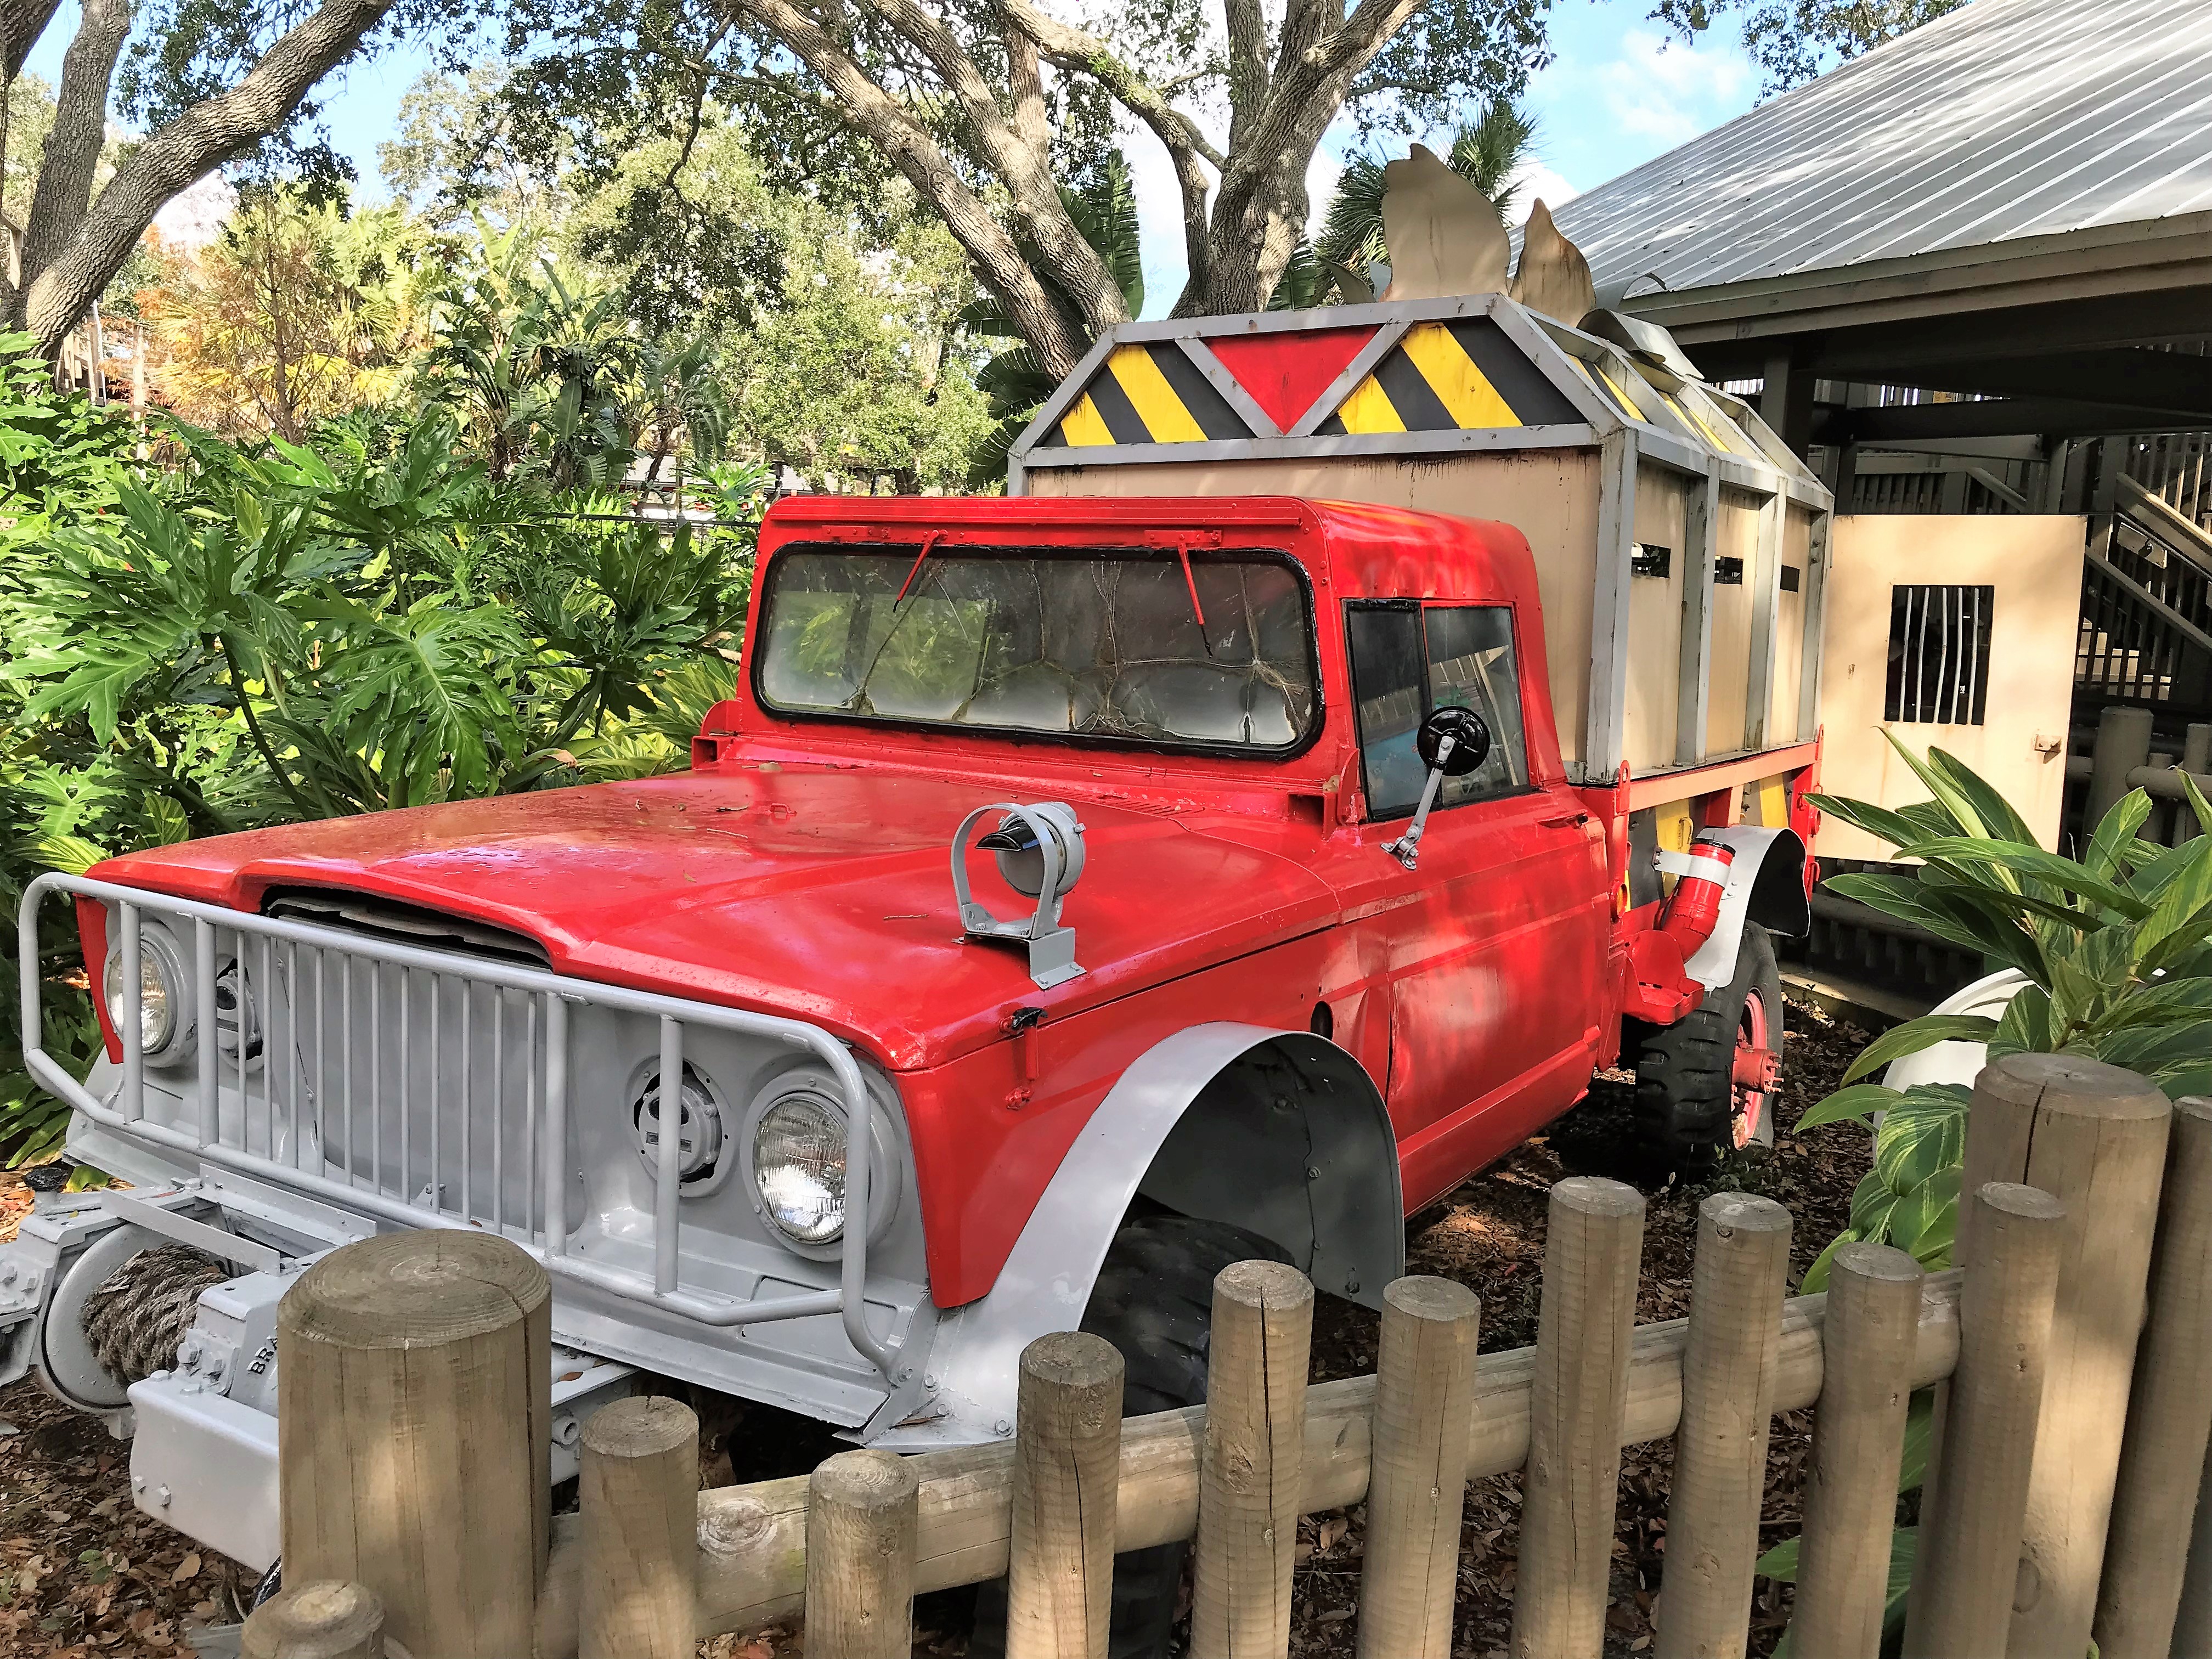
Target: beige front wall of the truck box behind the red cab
[{"x": 1545, "y": 494}]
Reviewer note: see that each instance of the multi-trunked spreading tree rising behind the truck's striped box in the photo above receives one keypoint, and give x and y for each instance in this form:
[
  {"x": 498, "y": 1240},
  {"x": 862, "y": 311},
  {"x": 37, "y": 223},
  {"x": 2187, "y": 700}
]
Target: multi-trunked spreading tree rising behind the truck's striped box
[{"x": 985, "y": 107}]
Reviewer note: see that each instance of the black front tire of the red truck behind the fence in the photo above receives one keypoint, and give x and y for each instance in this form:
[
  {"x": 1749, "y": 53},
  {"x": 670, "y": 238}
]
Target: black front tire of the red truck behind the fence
[{"x": 1154, "y": 1302}]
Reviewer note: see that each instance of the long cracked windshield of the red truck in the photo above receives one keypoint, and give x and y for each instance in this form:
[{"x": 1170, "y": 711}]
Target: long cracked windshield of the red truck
[{"x": 1138, "y": 647}]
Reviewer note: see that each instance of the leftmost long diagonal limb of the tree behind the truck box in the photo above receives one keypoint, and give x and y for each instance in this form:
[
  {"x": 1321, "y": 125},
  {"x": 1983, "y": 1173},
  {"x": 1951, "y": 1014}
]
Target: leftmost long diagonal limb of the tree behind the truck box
[{"x": 932, "y": 174}]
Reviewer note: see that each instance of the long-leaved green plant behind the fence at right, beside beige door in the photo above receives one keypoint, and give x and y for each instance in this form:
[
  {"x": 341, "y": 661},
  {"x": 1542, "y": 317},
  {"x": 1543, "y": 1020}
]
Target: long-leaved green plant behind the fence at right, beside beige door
[{"x": 2116, "y": 948}]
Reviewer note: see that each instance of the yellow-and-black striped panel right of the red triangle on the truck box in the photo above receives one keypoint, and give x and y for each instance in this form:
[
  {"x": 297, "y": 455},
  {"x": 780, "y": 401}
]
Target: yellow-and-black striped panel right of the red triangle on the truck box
[{"x": 1446, "y": 377}]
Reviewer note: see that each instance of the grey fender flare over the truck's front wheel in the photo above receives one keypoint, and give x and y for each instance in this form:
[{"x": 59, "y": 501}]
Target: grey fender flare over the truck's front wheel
[{"x": 1350, "y": 1185}]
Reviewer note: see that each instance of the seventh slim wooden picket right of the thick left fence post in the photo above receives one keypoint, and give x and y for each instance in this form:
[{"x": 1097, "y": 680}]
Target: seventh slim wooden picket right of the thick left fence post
[{"x": 1738, "y": 1286}]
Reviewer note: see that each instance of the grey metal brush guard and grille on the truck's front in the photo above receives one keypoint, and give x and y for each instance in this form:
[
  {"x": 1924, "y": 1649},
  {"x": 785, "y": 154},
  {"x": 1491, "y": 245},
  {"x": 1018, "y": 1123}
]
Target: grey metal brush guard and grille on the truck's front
[{"x": 499, "y": 1118}]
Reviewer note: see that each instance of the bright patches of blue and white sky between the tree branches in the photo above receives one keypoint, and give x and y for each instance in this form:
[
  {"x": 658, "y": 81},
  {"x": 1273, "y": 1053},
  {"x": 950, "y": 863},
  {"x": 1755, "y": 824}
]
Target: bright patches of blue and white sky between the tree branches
[{"x": 1616, "y": 96}]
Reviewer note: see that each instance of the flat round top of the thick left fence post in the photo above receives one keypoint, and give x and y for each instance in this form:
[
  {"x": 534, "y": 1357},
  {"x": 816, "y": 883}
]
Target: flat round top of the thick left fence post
[{"x": 415, "y": 1291}]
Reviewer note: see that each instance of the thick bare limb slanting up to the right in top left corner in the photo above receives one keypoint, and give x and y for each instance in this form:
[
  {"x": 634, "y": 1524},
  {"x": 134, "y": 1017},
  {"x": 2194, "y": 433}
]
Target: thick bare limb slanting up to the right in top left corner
[{"x": 213, "y": 132}]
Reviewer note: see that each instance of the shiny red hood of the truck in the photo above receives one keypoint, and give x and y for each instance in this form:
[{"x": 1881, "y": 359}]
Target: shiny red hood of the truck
[{"x": 804, "y": 890}]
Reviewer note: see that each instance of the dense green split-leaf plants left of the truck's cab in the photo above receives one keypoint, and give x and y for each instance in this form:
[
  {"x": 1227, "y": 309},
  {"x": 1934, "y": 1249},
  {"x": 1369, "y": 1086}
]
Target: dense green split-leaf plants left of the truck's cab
[{"x": 242, "y": 638}]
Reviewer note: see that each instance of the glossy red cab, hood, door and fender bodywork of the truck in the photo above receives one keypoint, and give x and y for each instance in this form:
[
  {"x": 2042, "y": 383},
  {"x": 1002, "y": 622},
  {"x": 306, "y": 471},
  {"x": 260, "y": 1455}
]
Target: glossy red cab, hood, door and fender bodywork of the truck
[{"x": 802, "y": 868}]
